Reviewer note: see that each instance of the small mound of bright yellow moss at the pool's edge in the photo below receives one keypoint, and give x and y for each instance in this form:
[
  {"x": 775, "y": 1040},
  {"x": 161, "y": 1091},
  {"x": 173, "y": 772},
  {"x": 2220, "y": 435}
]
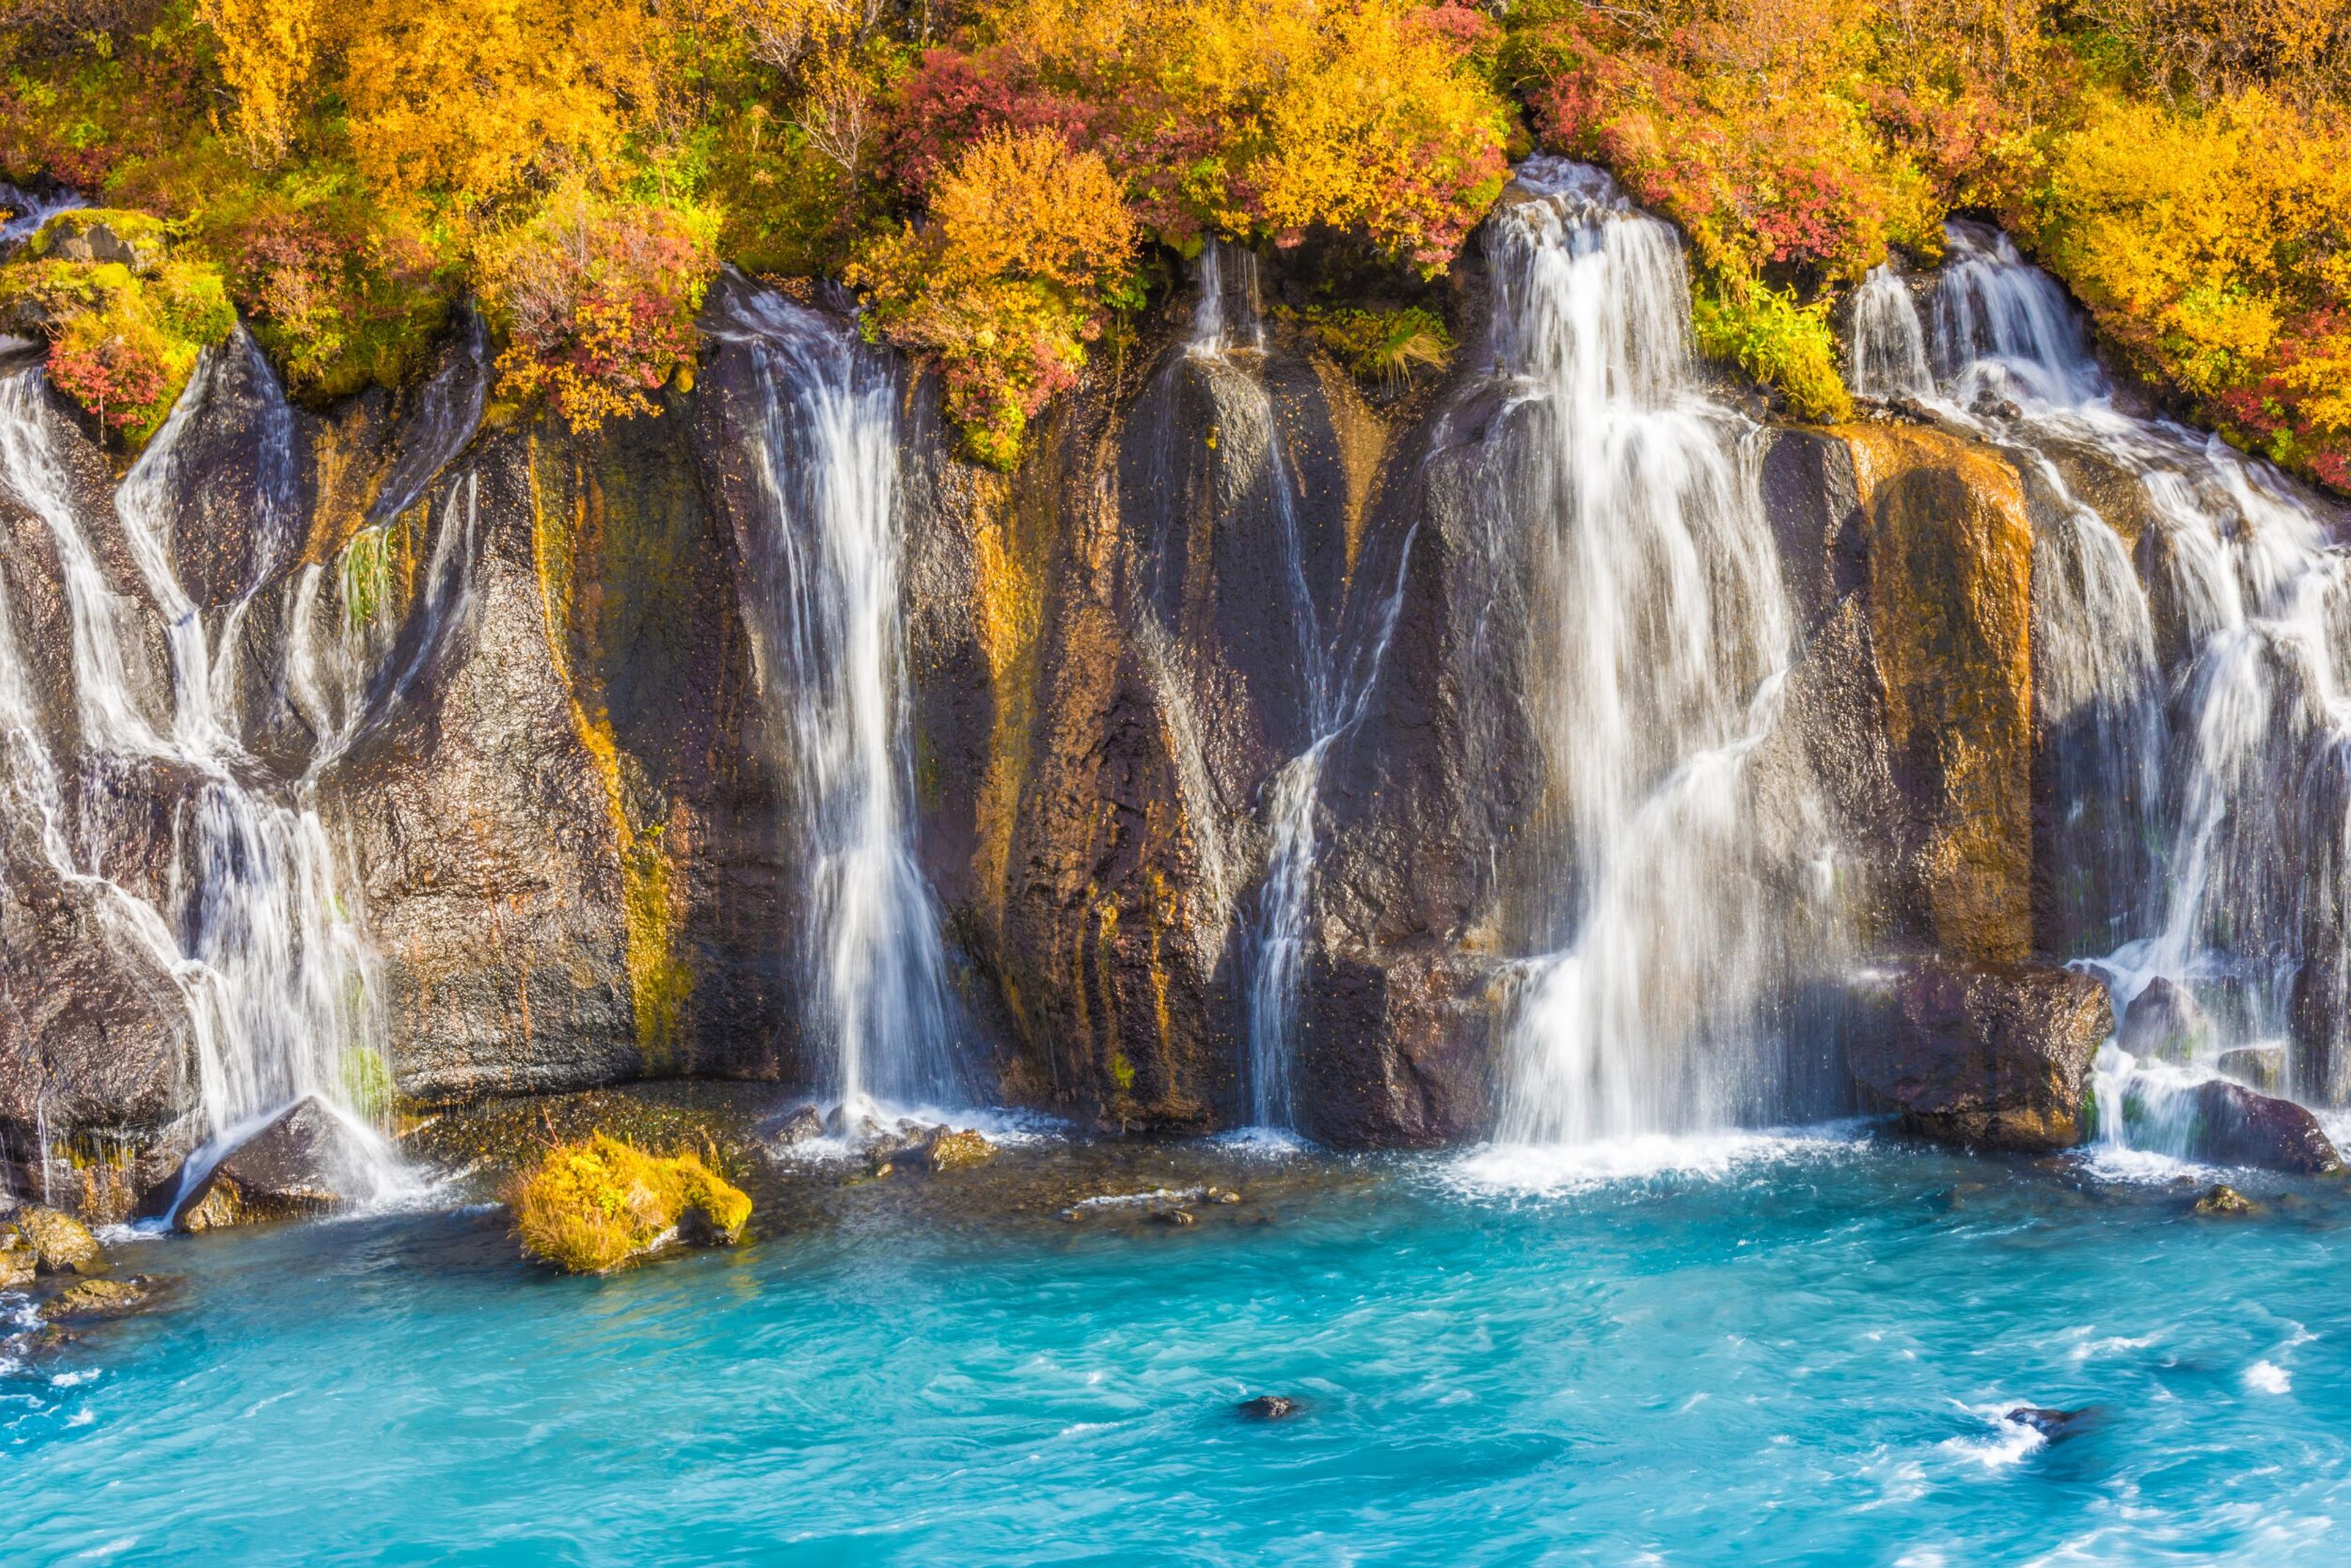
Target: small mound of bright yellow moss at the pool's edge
[{"x": 603, "y": 1205}]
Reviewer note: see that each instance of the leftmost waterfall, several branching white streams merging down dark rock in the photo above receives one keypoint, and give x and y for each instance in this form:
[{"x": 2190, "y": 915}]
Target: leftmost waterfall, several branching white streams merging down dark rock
[{"x": 260, "y": 925}]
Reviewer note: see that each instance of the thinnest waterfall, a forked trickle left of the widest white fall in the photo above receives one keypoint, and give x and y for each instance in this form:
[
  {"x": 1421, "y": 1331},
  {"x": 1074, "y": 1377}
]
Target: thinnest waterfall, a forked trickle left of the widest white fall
[{"x": 1334, "y": 683}]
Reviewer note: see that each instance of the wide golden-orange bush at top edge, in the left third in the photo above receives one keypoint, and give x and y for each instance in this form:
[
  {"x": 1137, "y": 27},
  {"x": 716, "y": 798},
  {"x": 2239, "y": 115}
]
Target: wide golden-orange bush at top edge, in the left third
[{"x": 483, "y": 98}]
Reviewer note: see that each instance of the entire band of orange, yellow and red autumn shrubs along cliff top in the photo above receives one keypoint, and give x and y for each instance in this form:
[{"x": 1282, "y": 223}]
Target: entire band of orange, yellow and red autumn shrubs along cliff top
[{"x": 1005, "y": 180}]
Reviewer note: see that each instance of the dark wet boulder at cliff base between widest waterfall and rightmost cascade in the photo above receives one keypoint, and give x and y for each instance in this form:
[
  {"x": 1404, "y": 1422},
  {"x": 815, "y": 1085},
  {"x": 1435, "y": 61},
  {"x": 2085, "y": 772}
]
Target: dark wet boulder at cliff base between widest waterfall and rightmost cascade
[{"x": 1988, "y": 1054}]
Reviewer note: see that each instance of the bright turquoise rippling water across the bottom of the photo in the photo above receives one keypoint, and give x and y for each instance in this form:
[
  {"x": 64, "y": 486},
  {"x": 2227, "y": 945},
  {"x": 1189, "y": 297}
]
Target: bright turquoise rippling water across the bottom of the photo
[{"x": 1781, "y": 1351}]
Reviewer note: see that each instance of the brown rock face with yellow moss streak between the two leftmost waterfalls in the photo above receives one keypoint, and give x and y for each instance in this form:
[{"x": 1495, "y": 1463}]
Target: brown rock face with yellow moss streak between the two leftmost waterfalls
[{"x": 568, "y": 845}]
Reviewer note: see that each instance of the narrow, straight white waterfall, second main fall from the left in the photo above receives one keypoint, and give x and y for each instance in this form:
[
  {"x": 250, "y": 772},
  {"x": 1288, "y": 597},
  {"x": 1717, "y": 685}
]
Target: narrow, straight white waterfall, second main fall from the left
[{"x": 826, "y": 617}]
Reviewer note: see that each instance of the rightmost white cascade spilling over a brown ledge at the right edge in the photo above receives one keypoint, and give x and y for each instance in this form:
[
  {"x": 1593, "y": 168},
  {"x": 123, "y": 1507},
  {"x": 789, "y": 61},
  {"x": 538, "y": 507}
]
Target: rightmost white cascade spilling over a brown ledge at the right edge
[{"x": 2192, "y": 643}]
